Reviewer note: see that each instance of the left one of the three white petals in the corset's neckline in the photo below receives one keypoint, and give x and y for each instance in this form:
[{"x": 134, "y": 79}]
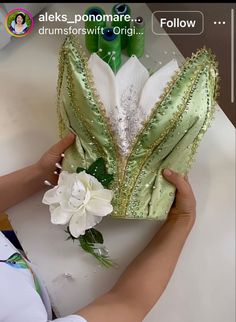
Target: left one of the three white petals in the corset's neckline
[{"x": 104, "y": 80}]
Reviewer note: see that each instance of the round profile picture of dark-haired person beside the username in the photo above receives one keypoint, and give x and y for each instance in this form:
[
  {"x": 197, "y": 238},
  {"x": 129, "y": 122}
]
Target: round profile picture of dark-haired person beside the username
[{"x": 19, "y": 22}]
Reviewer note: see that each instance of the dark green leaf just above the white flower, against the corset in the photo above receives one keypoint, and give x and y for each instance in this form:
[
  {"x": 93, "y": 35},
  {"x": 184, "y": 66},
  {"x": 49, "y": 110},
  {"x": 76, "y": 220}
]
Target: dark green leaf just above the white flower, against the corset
[{"x": 99, "y": 171}]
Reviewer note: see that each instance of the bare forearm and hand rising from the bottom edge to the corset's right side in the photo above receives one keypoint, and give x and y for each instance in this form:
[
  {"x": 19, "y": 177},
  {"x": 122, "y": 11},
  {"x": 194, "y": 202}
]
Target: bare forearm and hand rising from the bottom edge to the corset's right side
[{"x": 145, "y": 279}]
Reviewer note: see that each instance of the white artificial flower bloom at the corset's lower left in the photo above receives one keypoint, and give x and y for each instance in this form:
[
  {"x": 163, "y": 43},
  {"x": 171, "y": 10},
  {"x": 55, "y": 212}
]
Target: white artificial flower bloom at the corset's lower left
[{"x": 80, "y": 200}]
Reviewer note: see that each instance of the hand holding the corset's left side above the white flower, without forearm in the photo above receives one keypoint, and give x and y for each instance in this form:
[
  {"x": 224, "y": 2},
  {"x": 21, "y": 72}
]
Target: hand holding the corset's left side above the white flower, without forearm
[{"x": 47, "y": 163}]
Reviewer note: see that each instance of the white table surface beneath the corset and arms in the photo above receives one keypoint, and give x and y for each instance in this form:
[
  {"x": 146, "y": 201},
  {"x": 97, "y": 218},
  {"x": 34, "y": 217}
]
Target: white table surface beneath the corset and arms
[{"x": 202, "y": 287}]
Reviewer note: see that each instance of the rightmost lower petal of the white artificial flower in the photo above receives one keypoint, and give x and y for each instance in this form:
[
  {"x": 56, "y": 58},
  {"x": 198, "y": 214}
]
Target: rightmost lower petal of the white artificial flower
[{"x": 98, "y": 207}]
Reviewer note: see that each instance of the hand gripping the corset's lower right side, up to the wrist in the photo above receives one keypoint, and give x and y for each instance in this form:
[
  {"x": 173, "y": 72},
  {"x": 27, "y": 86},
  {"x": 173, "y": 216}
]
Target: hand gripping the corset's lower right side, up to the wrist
[{"x": 185, "y": 203}]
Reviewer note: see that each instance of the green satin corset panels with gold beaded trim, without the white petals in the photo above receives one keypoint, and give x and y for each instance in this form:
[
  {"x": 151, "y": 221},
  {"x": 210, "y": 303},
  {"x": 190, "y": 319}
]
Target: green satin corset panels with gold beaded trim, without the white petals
[{"x": 168, "y": 138}]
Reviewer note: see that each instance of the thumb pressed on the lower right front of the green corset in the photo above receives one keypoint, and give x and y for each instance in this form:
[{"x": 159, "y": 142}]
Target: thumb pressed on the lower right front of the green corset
[{"x": 178, "y": 181}]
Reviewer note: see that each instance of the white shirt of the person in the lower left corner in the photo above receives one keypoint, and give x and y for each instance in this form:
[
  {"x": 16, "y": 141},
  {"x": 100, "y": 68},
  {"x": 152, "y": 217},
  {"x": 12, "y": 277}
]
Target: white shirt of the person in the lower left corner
[{"x": 19, "y": 300}]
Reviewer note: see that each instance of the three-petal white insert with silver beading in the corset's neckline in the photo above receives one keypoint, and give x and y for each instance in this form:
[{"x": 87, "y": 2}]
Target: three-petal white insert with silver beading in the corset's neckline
[{"x": 129, "y": 96}]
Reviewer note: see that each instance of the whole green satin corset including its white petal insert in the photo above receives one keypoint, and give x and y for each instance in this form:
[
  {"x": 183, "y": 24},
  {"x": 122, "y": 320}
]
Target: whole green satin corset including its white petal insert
[{"x": 108, "y": 115}]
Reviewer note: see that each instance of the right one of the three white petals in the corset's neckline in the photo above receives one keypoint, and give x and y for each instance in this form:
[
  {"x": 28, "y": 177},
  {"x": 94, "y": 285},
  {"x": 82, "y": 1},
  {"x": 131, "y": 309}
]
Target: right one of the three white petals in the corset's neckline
[{"x": 154, "y": 87}]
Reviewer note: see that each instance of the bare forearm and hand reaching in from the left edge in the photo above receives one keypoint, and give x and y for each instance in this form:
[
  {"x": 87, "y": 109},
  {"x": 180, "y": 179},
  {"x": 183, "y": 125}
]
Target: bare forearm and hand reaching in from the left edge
[{"x": 17, "y": 186}]
